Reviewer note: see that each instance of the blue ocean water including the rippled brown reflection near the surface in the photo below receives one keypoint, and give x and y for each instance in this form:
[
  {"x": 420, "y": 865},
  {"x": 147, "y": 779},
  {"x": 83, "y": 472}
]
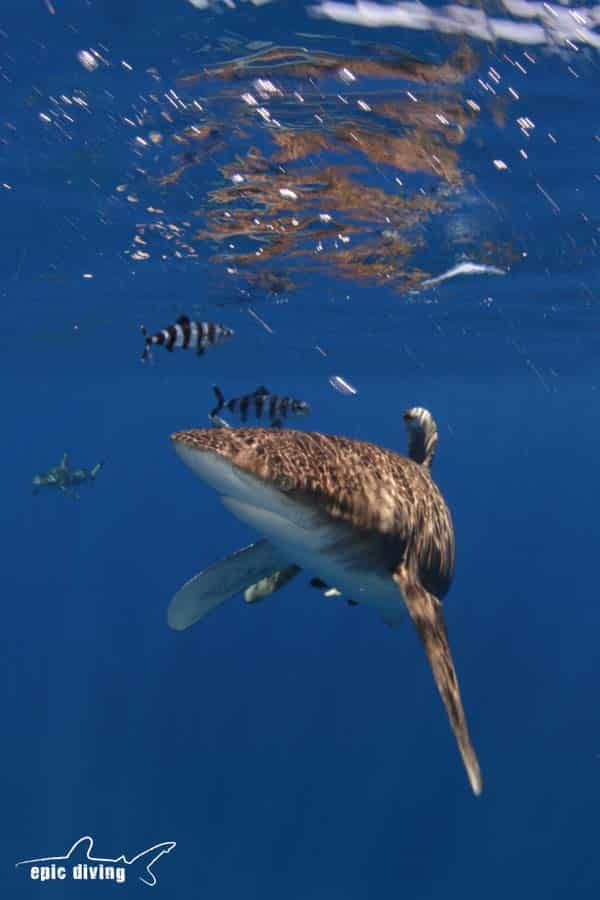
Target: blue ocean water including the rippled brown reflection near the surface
[{"x": 297, "y": 747}]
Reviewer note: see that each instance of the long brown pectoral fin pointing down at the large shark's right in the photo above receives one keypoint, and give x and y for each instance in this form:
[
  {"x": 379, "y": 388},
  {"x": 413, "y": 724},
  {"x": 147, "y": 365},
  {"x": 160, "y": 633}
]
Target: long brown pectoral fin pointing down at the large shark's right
[{"x": 425, "y": 611}]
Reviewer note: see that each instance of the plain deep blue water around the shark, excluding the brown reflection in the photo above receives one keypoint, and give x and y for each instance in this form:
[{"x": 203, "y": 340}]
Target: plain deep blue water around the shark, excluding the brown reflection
[{"x": 295, "y": 749}]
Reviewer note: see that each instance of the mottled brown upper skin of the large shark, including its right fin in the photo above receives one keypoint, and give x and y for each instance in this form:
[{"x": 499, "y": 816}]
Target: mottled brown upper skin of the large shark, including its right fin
[{"x": 388, "y": 503}]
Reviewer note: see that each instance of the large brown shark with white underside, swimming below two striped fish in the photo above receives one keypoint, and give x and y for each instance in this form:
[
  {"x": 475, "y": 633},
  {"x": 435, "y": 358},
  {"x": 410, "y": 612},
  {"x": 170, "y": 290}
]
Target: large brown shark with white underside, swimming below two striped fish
[{"x": 361, "y": 518}]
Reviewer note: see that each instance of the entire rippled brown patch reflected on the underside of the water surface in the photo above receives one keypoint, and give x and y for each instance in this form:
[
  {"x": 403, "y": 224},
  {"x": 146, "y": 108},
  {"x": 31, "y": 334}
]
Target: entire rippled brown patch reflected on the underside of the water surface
[{"x": 326, "y": 186}]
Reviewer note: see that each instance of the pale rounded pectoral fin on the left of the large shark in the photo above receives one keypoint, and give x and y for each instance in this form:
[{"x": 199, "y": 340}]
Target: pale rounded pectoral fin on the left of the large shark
[{"x": 230, "y": 576}]
